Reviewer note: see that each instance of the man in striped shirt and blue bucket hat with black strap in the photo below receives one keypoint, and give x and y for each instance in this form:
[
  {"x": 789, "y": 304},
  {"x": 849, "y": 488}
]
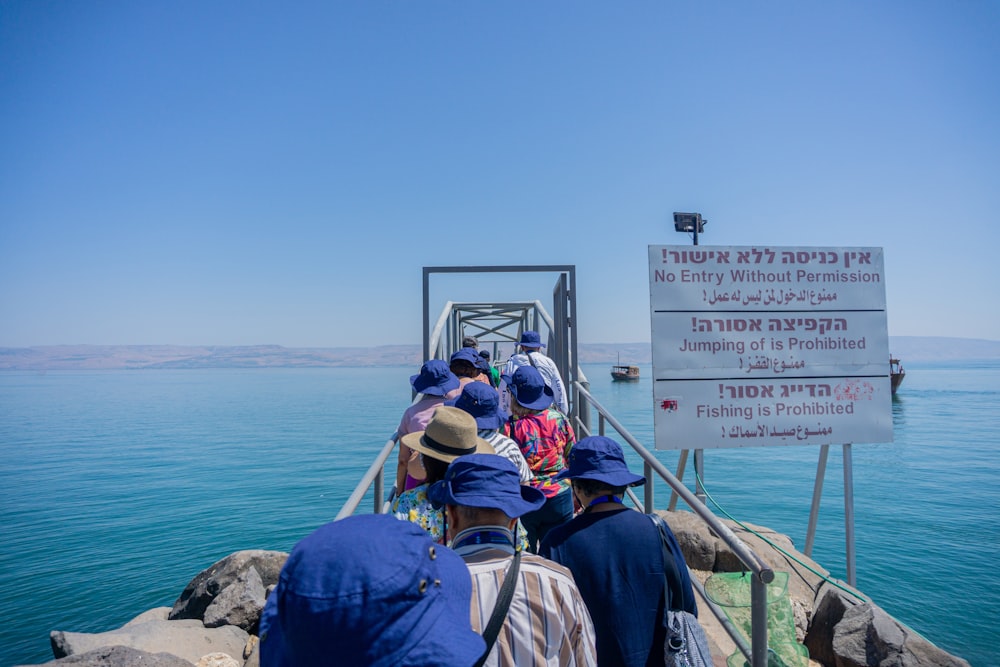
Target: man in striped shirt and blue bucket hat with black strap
[{"x": 547, "y": 622}]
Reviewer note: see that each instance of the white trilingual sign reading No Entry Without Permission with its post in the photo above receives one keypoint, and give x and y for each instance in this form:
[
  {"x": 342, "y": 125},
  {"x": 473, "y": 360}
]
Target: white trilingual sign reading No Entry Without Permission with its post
[{"x": 768, "y": 346}]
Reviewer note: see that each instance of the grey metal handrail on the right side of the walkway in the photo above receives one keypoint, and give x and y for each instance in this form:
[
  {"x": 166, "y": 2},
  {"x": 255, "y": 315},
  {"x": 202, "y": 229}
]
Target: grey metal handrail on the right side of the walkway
[{"x": 758, "y": 655}]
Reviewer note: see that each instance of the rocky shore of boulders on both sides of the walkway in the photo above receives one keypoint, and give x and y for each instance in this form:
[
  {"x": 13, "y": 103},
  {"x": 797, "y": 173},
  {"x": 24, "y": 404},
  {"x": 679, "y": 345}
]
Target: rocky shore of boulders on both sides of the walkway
[{"x": 214, "y": 621}]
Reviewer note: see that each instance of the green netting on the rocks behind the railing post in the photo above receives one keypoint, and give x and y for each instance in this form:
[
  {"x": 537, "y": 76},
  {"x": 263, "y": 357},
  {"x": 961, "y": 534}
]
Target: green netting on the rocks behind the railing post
[{"x": 731, "y": 591}]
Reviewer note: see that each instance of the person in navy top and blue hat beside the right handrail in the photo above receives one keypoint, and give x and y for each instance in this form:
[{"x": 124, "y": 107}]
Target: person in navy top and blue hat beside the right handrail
[{"x": 617, "y": 558}]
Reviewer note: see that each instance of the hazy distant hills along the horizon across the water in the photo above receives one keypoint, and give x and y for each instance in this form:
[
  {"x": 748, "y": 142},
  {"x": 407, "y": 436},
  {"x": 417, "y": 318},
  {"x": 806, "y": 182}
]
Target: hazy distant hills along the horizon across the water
[{"x": 910, "y": 349}]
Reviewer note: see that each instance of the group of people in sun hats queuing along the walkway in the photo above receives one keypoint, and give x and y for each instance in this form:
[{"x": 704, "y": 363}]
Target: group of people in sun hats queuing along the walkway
[{"x": 510, "y": 544}]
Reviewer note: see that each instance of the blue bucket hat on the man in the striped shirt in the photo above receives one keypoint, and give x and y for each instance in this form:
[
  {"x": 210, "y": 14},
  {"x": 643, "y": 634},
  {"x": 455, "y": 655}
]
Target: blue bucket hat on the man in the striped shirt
[{"x": 485, "y": 480}]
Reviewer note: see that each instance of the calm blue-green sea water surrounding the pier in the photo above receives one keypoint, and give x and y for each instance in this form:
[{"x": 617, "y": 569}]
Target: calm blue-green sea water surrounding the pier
[{"x": 118, "y": 487}]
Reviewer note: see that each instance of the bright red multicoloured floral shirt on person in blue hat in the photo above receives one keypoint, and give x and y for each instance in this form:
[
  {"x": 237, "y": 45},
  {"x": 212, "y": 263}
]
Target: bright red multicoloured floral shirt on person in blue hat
[{"x": 545, "y": 440}]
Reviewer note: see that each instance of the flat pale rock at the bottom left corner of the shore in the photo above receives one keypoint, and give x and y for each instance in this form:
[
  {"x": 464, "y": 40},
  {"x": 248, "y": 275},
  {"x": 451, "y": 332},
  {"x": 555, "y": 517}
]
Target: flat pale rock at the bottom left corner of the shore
[{"x": 187, "y": 639}]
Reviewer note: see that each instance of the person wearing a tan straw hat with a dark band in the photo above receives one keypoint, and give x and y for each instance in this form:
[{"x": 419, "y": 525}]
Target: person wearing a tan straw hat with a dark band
[{"x": 450, "y": 433}]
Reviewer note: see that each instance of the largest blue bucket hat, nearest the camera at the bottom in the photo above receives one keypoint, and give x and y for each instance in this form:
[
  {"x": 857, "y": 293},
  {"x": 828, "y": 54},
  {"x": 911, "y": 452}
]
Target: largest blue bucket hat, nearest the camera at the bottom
[{"x": 370, "y": 590}]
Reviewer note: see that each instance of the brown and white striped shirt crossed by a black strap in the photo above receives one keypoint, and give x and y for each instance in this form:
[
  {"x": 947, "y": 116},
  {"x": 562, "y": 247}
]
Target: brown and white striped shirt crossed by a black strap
[{"x": 547, "y": 623}]
